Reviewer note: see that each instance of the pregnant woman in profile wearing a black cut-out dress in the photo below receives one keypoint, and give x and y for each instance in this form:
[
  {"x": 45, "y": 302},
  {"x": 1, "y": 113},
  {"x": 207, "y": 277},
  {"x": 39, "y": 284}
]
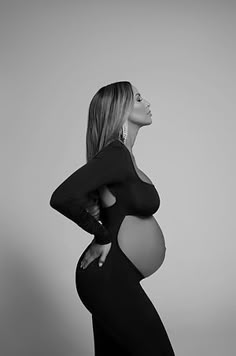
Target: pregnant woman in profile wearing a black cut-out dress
[{"x": 112, "y": 199}]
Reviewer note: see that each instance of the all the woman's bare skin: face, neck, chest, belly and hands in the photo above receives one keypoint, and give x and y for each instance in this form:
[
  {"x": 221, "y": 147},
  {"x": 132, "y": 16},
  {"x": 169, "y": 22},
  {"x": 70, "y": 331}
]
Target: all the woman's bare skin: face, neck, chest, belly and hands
[{"x": 149, "y": 253}]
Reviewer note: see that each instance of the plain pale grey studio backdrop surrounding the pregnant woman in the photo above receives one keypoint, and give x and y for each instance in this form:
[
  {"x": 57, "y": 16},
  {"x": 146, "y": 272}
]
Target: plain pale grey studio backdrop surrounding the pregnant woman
[{"x": 180, "y": 55}]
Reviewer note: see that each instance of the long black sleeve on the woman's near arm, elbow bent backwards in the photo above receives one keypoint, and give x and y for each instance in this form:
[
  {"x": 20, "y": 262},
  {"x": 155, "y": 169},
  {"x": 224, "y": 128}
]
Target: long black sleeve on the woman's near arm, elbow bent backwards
[{"x": 70, "y": 197}]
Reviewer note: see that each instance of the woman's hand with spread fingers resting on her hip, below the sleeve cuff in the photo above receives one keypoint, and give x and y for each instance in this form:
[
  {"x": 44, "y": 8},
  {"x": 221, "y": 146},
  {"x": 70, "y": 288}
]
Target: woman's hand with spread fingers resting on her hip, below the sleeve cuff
[{"x": 95, "y": 250}]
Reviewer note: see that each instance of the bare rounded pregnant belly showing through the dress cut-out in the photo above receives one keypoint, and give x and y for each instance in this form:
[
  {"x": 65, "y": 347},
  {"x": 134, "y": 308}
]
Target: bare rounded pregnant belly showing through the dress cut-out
[{"x": 142, "y": 241}]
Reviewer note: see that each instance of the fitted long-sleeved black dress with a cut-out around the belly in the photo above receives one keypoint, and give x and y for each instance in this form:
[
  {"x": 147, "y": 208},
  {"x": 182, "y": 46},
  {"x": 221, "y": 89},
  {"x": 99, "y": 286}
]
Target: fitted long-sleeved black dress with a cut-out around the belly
[{"x": 125, "y": 322}]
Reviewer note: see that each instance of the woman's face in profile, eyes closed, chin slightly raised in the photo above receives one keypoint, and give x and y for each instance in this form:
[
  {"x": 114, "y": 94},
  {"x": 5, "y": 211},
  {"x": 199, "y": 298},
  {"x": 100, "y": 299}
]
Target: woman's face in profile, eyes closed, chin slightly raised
[{"x": 141, "y": 114}]
